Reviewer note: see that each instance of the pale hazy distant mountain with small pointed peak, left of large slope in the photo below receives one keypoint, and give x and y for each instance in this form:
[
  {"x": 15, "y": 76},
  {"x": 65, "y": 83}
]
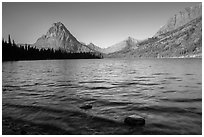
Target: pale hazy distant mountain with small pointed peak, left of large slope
[{"x": 123, "y": 45}]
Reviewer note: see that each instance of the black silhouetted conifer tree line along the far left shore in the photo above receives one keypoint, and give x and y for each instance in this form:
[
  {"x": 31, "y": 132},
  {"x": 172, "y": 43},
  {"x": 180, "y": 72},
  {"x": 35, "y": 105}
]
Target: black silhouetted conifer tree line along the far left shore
[{"x": 13, "y": 52}]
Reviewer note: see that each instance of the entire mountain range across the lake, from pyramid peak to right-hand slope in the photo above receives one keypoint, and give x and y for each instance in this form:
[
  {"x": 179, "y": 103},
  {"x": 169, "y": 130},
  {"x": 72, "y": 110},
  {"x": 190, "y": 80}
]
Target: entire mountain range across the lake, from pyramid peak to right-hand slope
[{"x": 181, "y": 36}]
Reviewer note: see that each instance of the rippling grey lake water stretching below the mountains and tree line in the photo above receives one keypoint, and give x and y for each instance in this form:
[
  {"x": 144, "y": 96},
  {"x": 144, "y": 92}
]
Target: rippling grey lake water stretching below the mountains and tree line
[{"x": 166, "y": 92}]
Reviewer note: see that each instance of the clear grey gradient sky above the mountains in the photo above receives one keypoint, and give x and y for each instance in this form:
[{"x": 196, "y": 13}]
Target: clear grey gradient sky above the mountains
[{"x": 103, "y": 24}]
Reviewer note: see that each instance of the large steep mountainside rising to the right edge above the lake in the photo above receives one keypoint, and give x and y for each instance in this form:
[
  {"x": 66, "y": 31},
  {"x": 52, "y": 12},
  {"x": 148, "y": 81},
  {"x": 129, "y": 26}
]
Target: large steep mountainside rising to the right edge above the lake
[{"x": 181, "y": 36}]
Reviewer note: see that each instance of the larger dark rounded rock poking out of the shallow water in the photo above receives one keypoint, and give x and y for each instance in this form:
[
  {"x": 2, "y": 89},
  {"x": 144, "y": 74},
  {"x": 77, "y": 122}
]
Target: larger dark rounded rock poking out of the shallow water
[{"x": 134, "y": 120}]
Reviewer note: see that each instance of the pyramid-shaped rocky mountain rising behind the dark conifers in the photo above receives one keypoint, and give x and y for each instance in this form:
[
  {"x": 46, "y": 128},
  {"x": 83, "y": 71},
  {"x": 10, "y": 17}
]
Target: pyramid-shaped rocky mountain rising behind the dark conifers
[{"x": 58, "y": 37}]
